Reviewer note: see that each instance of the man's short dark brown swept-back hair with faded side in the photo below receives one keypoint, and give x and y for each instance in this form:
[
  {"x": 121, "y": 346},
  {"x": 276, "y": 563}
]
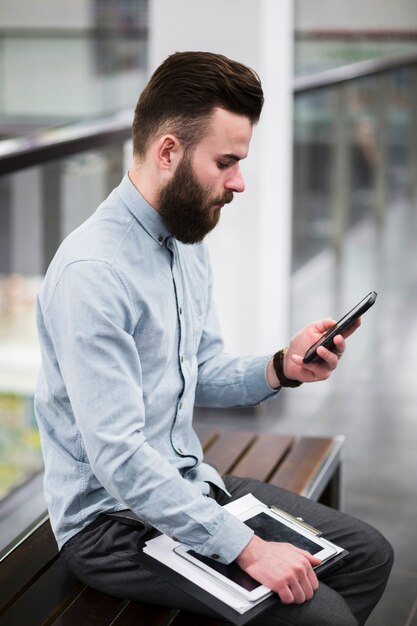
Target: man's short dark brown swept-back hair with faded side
[{"x": 183, "y": 92}]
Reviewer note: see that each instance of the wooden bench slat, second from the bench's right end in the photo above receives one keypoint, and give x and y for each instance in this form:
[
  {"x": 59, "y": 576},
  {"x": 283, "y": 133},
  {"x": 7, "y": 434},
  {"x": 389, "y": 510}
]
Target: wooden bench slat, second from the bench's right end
[{"x": 263, "y": 457}]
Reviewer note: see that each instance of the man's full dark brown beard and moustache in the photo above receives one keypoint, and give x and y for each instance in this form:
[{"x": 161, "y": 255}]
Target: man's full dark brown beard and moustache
[{"x": 187, "y": 207}]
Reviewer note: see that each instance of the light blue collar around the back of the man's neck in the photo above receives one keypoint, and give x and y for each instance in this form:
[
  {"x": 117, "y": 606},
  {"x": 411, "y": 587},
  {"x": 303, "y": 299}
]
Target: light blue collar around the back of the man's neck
[{"x": 148, "y": 217}]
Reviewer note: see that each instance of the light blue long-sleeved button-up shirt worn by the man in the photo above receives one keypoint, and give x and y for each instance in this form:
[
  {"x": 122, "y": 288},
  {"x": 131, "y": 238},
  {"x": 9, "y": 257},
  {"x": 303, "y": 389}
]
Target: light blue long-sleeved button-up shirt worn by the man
[{"x": 130, "y": 342}]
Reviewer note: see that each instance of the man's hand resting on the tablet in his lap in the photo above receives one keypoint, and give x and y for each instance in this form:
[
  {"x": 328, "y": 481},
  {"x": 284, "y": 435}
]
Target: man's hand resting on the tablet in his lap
[{"x": 282, "y": 567}]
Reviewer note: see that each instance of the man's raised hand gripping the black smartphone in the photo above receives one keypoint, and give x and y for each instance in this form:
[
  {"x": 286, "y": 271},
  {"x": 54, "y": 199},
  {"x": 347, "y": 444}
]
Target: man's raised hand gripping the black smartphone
[{"x": 296, "y": 369}]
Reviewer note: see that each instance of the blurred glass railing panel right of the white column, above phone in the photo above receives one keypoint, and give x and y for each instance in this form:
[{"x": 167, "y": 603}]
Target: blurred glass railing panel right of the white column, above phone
[{"x": 355, "y": 173}]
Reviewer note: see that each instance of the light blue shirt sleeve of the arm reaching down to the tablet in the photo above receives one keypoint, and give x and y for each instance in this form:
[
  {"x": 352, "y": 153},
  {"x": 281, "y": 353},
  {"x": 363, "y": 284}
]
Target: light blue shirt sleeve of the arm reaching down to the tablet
[{"x": 90, "y": 319}]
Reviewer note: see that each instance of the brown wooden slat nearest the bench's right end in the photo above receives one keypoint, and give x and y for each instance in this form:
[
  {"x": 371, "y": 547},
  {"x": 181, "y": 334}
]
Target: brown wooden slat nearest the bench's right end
[{"x": 302, "y": 463}]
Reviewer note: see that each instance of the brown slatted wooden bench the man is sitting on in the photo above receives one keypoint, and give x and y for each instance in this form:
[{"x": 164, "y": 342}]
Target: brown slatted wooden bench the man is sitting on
[{"x": 37, "y": 588}]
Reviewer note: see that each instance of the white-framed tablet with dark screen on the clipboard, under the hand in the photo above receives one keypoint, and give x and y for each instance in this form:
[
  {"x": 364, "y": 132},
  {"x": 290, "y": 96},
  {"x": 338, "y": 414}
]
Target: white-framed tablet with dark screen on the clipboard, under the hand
[{"x": 270, "y": 526}]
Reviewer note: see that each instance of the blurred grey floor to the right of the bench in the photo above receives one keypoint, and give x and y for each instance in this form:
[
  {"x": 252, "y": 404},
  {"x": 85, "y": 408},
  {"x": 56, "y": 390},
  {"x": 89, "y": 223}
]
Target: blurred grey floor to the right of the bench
[{"x": 372, "y": 398}]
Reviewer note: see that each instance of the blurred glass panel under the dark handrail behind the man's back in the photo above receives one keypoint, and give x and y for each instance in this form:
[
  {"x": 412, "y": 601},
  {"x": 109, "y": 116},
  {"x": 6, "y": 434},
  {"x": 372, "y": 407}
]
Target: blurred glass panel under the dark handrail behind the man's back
[{"x": 38, "y": 208}]
